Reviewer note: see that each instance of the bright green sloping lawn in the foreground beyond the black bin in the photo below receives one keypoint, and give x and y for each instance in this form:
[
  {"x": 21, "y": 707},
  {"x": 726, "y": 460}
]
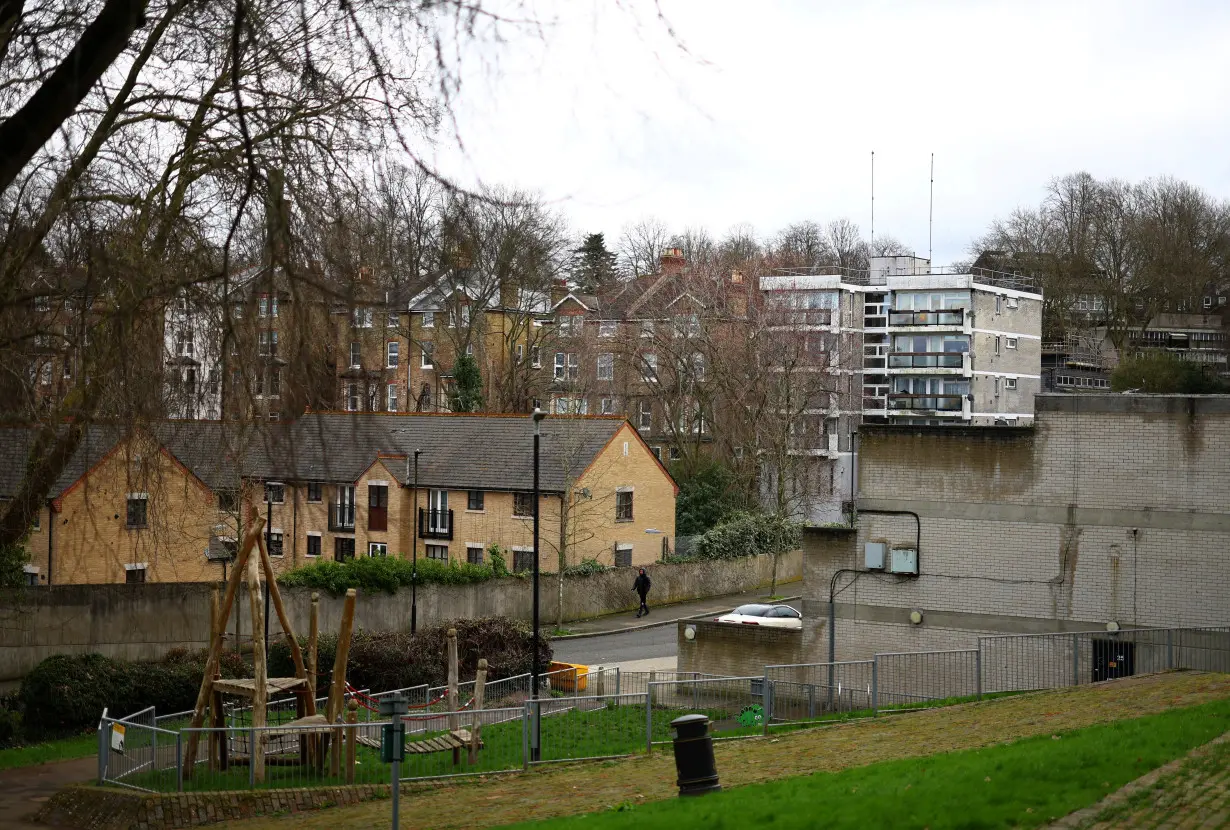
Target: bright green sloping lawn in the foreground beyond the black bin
[{"x": 1024, "y": 784}]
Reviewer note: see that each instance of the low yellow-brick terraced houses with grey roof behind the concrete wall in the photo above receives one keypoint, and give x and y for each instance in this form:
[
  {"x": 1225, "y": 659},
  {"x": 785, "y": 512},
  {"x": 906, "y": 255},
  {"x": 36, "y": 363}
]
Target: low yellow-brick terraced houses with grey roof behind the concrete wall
[{"x": 164, "y": 504}]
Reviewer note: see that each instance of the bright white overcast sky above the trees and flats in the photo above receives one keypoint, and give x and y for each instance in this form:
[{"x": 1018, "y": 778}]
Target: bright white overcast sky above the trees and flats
[{"x": 772, "y": 114}]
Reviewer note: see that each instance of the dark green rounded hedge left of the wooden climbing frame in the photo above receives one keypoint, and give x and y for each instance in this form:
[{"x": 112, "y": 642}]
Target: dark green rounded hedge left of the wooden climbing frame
[{"x": 67, "y": 693}]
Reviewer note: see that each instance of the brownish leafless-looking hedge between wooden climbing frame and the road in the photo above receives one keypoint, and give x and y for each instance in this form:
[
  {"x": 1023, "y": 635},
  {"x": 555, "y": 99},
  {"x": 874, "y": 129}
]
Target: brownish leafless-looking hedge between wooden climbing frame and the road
[{"x": 395, "y": 660}]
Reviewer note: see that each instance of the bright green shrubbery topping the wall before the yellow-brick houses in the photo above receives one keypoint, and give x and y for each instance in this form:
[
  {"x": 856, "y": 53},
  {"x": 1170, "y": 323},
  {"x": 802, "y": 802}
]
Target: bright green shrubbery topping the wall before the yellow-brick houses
[{"x": 383, "y": 575}]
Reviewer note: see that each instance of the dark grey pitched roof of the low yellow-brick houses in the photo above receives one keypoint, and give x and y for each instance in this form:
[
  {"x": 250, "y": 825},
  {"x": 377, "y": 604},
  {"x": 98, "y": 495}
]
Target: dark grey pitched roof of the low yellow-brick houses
[{"x": 459, "y": 452}]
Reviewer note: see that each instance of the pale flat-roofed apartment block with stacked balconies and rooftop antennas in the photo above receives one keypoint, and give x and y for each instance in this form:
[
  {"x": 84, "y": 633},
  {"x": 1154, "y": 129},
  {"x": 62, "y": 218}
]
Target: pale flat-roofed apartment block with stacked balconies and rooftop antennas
[{"x": 912, "y": 345}]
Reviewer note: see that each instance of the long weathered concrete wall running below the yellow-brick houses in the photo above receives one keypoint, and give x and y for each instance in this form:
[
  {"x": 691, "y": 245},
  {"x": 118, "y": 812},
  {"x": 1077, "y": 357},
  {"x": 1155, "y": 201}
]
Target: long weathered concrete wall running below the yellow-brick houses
[{"x": 145, "y": 622}]
